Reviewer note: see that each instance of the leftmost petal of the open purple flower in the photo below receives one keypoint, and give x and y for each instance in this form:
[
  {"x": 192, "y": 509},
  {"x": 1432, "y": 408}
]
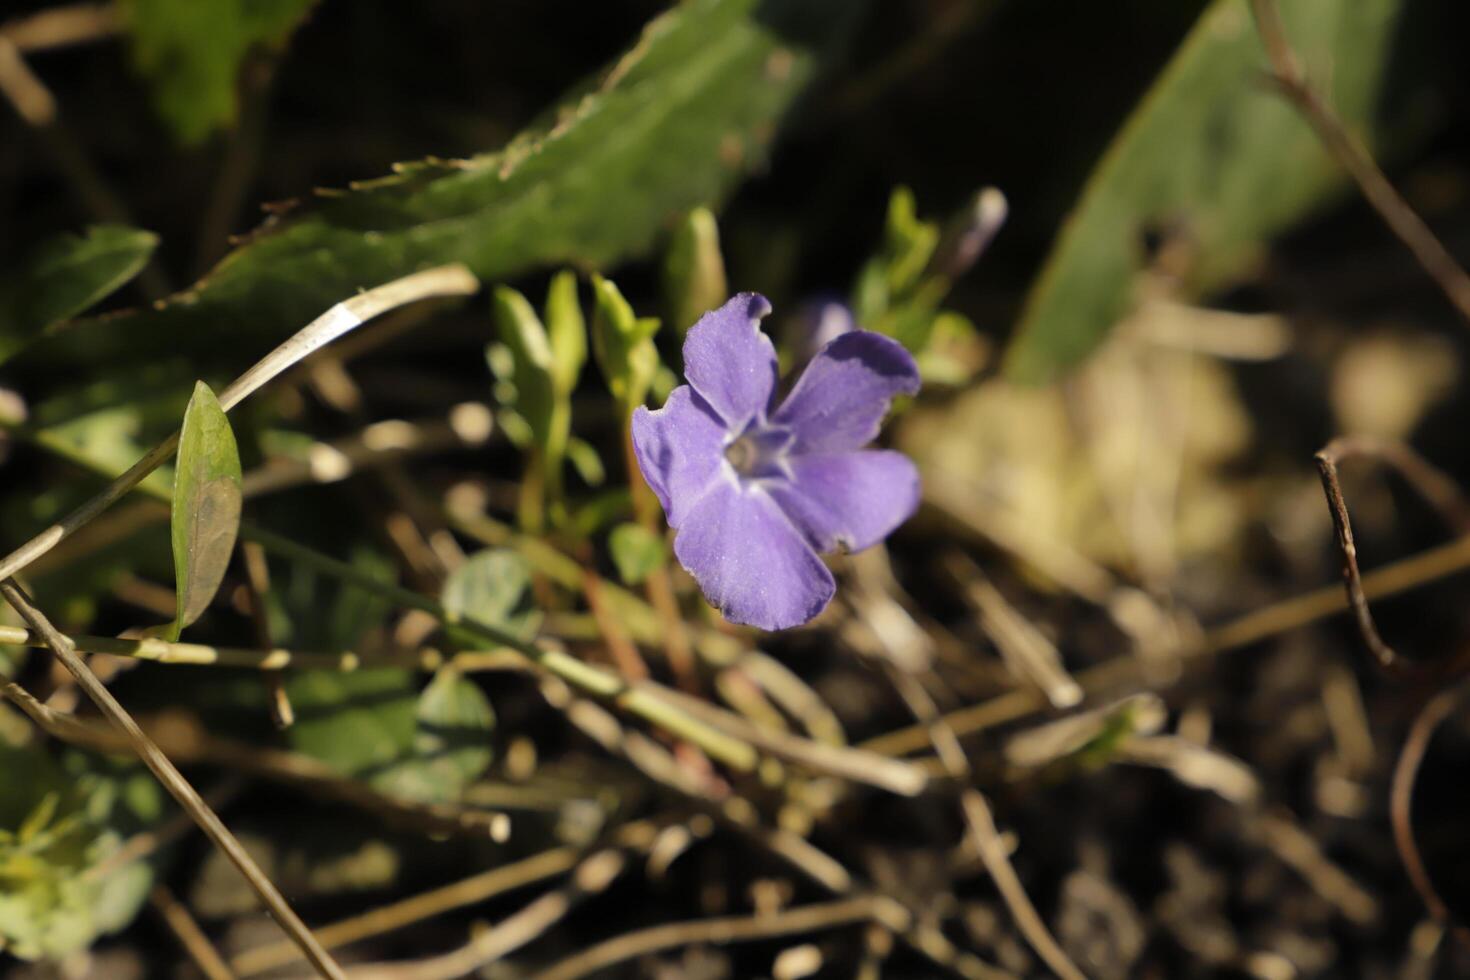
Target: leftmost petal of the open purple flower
[{"x": 681, "y": 450}]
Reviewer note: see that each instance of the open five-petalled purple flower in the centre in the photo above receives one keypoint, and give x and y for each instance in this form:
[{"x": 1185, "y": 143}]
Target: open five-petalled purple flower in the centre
[{"x": 756, "y": 493}]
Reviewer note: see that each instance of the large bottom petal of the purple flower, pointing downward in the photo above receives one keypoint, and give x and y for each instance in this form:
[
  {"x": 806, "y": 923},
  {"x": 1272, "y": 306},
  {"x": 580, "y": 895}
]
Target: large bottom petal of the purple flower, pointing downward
[{"x": 750, "y": 562}]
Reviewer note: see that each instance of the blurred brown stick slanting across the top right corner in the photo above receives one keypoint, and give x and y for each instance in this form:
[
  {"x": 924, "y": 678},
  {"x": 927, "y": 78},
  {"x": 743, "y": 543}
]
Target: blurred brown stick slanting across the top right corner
[{"x": 1355, "y": 158}]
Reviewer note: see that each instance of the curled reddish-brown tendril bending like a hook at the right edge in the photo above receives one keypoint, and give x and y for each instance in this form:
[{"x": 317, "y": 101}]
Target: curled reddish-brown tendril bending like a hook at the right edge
[{"x": 1438, "y": 489}]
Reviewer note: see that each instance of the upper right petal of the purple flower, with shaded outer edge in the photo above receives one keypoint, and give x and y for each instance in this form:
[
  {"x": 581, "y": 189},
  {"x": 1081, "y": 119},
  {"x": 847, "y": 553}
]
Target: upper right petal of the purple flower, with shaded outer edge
[{"x": 843, "y": 396}]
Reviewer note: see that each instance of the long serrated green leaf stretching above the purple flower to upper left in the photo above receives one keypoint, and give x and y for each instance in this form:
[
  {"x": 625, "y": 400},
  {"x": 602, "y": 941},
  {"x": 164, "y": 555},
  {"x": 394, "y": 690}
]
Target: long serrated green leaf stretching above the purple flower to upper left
[{"x": 677, "y": 123}]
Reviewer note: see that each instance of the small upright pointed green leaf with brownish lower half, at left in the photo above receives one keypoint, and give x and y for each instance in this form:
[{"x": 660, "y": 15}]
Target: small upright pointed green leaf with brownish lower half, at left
[{"x": 207, "y": 506}]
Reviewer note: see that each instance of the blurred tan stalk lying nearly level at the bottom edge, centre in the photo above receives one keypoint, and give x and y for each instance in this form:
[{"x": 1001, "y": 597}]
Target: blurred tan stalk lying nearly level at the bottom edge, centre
[{"x": 730, "y": 929}]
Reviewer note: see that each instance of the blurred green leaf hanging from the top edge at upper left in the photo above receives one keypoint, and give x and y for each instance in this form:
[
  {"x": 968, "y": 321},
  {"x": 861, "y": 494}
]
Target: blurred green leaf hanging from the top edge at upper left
[{"x": 192, "y": 51}]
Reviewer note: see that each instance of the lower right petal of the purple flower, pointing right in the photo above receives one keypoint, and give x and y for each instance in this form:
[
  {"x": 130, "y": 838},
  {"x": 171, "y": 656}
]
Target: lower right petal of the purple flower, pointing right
[{"x": 849, "y": 500}]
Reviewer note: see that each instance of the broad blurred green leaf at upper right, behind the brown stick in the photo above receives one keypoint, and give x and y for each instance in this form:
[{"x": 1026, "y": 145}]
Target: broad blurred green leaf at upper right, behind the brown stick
[{"x": 1213, "y": 152}]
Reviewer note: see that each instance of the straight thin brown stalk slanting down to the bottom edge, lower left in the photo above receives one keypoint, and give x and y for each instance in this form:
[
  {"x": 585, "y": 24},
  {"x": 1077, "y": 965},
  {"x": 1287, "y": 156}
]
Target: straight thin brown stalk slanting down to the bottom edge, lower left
[{"x": 174, "y": 781}]
